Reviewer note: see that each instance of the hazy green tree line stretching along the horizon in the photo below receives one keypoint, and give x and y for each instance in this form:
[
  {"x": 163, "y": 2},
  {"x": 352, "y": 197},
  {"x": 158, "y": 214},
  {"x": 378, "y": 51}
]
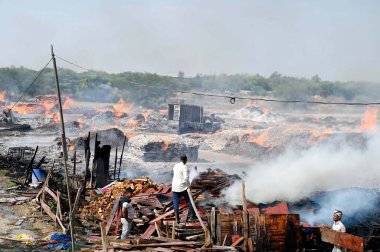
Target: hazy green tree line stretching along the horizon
[{"x": 158, "y": 90}]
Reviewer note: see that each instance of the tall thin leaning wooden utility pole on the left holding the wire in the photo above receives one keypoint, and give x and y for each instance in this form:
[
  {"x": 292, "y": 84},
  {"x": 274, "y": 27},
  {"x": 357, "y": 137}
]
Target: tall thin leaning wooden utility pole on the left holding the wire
[{"x": 63, "y": 137}]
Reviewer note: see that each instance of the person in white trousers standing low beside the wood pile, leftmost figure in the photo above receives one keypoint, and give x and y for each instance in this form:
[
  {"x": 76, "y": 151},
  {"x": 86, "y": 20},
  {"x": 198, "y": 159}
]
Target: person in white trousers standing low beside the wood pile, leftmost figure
[{"x": 127, "y": 213}]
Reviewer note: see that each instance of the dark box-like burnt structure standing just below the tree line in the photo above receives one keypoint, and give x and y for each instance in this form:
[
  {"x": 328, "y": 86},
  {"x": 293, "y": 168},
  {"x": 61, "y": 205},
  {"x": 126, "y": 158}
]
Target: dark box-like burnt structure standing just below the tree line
[{"x": 191, "y": 119}]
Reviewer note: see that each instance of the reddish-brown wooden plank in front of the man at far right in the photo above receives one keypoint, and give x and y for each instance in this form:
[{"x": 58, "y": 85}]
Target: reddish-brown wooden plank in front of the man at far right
[{"x": 344, "y": 240}]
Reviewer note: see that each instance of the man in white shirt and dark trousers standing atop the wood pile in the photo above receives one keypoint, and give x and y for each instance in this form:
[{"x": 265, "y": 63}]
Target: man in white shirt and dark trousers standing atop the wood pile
[{"x": 180, "y": 184}]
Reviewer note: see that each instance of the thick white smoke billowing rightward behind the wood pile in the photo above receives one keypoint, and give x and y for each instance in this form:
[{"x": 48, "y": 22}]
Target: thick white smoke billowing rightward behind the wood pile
[{"x": 298, "y": 174}]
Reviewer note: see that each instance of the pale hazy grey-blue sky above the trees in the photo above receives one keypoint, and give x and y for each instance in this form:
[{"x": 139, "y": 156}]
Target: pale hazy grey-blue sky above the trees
[{"x": 339, "y": 40}]
